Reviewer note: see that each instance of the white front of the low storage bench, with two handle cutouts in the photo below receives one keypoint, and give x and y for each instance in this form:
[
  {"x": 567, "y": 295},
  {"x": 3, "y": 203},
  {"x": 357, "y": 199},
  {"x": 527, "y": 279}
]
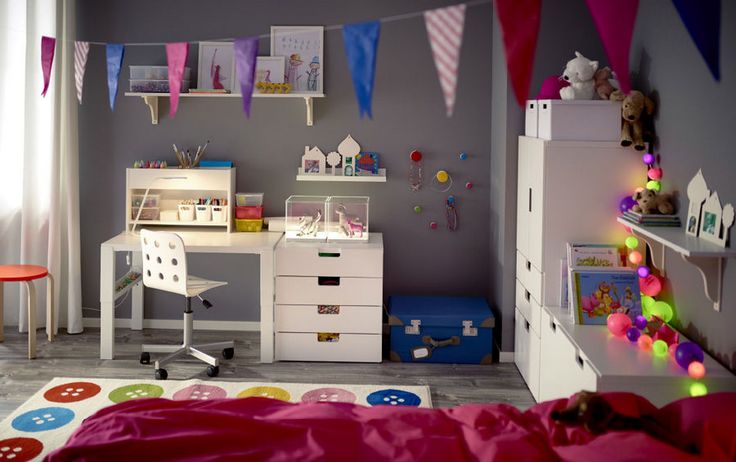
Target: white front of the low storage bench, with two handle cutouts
[{"x": 564, "y": 368}]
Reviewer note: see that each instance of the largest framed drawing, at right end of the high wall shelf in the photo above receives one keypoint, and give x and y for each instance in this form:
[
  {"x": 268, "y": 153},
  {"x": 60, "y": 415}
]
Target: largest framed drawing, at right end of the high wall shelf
[{"x": 302, "y": 48}]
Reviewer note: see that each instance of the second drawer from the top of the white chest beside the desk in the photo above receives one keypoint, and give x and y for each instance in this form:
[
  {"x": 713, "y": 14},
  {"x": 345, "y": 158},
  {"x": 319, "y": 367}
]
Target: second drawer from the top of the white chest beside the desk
[{"x": 329, "y": 290}]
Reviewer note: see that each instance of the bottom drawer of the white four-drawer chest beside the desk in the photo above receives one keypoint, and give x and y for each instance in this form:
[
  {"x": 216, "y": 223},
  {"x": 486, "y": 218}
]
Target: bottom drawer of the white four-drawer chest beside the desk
[{"x": 291, "y": 346}]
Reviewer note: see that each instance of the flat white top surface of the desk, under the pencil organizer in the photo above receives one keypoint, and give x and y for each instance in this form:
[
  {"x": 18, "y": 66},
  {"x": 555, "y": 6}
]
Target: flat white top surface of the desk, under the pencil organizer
[{"x": 206, "y": 241}]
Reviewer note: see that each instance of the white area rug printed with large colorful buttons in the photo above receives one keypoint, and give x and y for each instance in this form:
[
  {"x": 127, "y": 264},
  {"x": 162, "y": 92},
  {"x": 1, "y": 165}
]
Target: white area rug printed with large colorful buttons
[{"x": 47, "y": 420}]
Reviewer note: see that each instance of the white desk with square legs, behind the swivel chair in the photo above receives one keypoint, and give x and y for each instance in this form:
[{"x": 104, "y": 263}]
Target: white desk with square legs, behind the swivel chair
[{"x": 261, "y": 244}]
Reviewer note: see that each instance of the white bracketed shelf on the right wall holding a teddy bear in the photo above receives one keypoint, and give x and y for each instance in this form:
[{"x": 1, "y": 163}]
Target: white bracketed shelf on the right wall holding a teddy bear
[{"x": 705, "y": 256}]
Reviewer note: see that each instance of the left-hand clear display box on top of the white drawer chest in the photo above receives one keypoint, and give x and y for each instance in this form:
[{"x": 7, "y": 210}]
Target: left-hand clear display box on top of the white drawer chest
[{"x": 305, "y": 218}]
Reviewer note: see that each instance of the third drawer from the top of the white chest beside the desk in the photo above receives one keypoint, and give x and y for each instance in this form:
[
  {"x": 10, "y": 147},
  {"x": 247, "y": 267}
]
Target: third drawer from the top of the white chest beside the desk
[{"x": 328, "y": 318}]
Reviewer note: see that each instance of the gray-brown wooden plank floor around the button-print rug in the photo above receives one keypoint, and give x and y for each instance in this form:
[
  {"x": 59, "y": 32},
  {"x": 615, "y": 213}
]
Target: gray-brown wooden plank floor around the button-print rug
[{"x": 78, "y": 356}]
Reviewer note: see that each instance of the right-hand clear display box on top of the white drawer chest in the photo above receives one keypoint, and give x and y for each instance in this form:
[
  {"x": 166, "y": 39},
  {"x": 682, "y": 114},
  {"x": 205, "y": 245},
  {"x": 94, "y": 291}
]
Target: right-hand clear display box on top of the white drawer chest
[{"x": 347, "y": 218}]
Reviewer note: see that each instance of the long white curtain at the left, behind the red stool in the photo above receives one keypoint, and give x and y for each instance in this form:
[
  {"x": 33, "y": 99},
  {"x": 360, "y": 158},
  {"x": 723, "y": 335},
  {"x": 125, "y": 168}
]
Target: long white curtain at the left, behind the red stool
[{"x": 39, "y": 174}]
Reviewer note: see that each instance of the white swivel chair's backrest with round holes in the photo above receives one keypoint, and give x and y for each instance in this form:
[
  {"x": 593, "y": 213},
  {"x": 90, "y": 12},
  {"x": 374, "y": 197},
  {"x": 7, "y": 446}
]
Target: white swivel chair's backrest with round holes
[{"x": 164, "y": 261}]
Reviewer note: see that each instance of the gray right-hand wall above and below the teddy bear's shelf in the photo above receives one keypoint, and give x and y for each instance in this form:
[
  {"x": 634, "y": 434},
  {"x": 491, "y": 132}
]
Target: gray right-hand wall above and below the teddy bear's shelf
[{"x": 694, "y": 124}]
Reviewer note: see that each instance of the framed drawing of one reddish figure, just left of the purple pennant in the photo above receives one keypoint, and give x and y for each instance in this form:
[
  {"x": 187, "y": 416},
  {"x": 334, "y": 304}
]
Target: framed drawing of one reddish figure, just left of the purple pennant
[{"x": 216, "y": 66}]
